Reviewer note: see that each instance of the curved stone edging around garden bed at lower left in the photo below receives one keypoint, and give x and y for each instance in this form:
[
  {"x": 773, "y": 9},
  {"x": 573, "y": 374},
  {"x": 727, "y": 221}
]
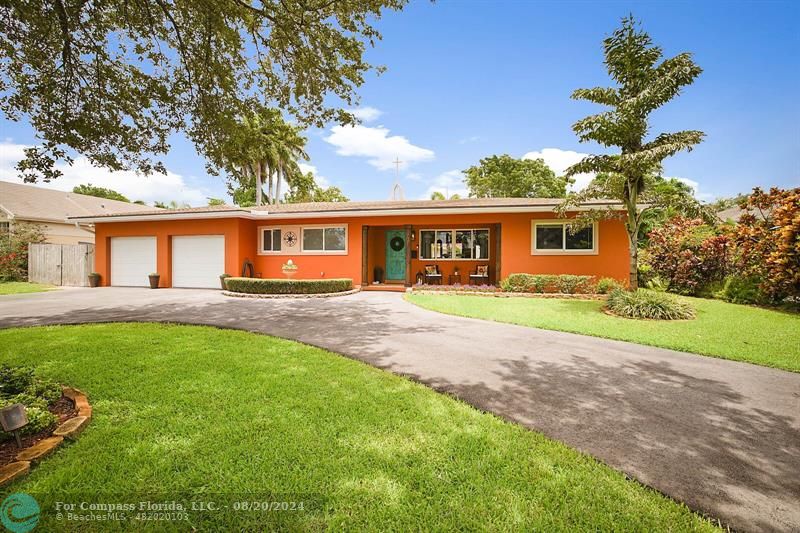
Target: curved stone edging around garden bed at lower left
[{"x": 69, "y": 429}]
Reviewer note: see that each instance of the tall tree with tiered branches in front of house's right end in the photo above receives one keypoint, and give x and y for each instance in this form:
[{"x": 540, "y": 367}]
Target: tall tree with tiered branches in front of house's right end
[{"x": 644, "y": 83}]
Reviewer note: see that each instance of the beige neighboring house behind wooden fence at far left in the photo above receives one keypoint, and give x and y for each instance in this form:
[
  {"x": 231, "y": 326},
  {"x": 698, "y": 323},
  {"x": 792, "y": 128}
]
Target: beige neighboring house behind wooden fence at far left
[{"x": 51, "y": 209}]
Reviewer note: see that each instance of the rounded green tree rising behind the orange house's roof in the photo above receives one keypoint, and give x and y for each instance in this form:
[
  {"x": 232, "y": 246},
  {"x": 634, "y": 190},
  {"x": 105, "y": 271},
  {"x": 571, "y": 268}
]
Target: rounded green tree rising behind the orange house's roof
[{"x": 501, "y": 176}]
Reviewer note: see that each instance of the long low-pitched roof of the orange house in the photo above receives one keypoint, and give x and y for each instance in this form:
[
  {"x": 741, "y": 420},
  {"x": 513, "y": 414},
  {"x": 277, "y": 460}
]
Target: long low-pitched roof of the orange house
[{"x": 339, "y": 209}]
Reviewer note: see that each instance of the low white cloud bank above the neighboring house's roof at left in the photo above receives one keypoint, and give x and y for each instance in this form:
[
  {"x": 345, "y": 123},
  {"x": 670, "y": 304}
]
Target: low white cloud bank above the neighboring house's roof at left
[{"x": 158, "y": 187}]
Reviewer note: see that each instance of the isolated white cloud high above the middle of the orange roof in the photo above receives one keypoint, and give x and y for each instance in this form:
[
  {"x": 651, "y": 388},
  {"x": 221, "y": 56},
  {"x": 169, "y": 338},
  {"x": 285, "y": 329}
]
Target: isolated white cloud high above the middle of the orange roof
[{"x": 377, "y": 146}]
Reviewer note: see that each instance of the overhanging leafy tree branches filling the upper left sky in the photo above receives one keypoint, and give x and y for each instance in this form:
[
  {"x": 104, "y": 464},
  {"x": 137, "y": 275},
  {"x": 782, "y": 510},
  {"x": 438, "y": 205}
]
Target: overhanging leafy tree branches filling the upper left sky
[{"x": 113, "y": 80}]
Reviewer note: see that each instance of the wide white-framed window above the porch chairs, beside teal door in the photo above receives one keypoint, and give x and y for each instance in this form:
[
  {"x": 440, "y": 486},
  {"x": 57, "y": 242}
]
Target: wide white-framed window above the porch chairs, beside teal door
[{"x": 454, "y": 244}]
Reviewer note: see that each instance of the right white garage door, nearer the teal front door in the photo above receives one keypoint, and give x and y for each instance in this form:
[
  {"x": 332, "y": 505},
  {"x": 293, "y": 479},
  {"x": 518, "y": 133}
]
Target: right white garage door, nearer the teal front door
[{"x": 198, "y": 261}]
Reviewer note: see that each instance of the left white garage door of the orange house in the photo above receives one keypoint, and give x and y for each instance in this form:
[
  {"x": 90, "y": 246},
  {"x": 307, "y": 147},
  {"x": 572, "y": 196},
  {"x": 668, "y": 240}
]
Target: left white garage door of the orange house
[{"x": 132, "y": 260}]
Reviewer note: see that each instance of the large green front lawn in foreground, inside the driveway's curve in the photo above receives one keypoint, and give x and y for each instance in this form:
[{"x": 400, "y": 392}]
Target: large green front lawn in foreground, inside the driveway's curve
[{"x": 186, "y": 409}]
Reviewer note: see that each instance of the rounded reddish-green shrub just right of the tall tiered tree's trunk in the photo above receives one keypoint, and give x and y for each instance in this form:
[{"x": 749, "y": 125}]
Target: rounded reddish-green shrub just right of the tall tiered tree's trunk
[{"x": 688, "y": 254}]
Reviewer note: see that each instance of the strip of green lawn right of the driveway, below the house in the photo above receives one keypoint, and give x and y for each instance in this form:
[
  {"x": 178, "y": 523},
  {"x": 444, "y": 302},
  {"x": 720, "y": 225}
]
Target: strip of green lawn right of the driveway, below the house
[{"x": 742, "y": 333}]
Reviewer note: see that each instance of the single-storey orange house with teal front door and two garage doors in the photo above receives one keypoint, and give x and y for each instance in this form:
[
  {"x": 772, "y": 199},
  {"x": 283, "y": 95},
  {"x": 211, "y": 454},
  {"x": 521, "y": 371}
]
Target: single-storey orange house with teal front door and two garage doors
[{"x": 192, "y": 247}]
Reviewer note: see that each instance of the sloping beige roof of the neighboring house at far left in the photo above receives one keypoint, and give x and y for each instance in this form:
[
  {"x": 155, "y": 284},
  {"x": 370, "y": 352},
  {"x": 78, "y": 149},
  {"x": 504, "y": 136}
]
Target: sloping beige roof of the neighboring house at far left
[{"x": 26, "y": 202}]
